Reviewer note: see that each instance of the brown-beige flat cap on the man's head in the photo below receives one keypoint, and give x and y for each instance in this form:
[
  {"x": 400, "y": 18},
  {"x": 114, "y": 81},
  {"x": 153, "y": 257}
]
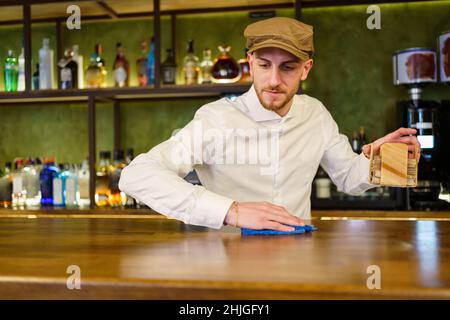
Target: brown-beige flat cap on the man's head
[{"x": 280, "y": 32}]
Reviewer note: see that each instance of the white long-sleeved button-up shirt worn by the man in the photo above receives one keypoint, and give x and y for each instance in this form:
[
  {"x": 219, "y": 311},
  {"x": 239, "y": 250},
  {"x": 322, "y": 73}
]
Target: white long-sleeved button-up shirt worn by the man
[{"x": 244, "y": 152}]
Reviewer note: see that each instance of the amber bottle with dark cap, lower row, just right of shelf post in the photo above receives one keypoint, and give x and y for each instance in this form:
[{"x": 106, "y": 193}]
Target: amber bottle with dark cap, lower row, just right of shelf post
[{"x": 102, "y": 190}]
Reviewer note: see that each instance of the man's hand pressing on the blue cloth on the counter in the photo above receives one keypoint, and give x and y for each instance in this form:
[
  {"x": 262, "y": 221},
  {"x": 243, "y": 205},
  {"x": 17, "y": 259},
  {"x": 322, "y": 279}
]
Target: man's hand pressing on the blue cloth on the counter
[{"x": 262, "y": 215}]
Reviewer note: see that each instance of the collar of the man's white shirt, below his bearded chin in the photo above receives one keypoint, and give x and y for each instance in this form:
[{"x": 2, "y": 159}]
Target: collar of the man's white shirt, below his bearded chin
[{"x": 258, "y": 113}]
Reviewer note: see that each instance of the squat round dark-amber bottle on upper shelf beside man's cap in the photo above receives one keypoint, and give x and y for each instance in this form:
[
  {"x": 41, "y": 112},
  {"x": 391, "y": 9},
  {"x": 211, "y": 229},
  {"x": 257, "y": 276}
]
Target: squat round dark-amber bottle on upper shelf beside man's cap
[{"x": 225, "y": 68}]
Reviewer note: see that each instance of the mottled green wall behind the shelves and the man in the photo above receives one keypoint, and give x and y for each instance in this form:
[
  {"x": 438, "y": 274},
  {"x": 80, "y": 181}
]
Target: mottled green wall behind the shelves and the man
[{"x": 352, "y": 75}]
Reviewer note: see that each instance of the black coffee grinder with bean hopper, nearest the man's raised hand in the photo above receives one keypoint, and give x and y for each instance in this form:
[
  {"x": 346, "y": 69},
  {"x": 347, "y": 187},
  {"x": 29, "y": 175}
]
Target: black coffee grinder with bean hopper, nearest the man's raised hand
[{"x": 415, "y": 68}]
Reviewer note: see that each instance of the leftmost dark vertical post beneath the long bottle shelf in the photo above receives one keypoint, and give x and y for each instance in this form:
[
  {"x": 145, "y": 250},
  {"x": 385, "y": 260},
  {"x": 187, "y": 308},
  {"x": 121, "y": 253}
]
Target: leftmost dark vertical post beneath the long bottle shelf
[{"x": 92, "y": 149}]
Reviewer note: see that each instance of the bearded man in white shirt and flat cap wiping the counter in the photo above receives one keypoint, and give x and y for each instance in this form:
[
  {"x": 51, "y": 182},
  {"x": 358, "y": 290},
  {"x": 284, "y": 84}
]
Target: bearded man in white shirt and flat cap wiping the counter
[{"x": 244, "y": 184}]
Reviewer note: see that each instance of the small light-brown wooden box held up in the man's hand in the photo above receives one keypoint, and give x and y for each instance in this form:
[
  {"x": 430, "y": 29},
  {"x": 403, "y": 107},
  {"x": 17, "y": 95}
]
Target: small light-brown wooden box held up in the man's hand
[{"x": 394, "y": 166}]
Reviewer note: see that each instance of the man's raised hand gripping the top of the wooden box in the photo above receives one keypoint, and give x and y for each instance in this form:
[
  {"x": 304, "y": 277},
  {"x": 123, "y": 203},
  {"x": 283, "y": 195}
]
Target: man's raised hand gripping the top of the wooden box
[{"x": 401, "y": 135}]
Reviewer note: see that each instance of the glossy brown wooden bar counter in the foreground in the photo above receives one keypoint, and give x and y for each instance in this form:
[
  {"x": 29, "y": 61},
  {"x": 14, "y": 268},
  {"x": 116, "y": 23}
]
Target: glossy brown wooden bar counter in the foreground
[{"x": 146, "y": 256}]
